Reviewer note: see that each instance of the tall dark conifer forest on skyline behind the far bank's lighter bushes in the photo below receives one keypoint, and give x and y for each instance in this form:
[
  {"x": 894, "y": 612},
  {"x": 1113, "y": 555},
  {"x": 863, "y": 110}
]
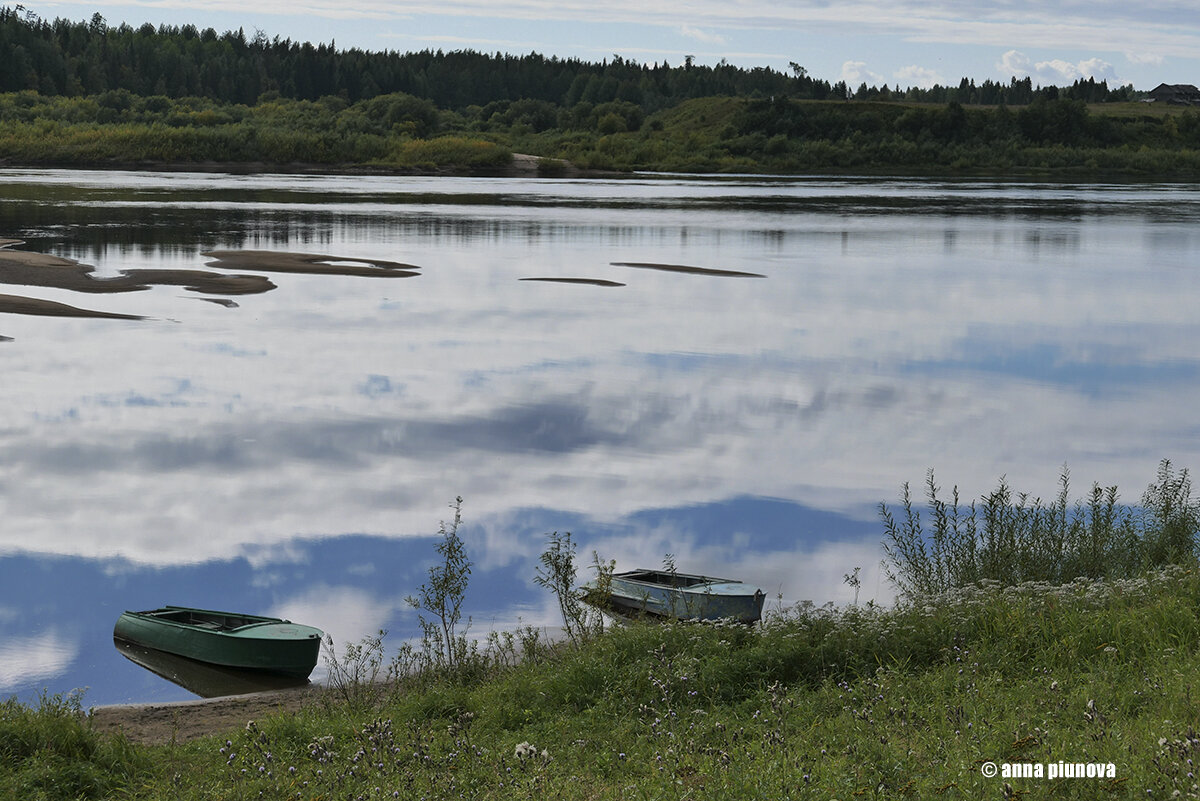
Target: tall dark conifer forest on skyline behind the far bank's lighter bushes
[{"x": 75, "y": 58}]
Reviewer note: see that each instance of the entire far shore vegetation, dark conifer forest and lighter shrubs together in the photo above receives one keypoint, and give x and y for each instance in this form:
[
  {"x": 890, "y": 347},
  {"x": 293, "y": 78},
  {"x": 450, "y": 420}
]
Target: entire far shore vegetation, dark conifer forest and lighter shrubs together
[{"x": 75, "y": 94}]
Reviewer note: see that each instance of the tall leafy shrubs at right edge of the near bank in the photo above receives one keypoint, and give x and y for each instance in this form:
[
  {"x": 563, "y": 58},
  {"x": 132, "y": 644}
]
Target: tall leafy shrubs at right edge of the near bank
[{"x": 1013, "y": 538}]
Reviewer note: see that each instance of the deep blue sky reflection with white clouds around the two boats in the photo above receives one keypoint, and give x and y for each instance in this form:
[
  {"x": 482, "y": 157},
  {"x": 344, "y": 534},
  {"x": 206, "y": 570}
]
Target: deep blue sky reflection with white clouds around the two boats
[{"x": 352, "y": 587}]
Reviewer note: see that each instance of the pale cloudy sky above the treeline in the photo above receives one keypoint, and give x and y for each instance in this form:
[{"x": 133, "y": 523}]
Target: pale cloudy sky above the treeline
[{"x": 905, "y": 44}]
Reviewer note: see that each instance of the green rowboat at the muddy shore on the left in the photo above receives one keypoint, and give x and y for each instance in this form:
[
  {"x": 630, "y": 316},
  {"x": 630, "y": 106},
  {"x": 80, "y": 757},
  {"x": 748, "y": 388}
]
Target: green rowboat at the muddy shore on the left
[{"x": 226, "y": 639}]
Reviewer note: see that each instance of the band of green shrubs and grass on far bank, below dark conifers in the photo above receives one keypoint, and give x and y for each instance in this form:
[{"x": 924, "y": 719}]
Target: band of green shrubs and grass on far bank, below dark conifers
[{"x": 711, "y": 135}]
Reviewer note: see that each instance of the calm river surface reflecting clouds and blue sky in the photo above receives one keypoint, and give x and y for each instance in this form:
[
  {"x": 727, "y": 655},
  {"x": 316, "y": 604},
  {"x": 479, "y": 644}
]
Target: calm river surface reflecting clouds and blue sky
[{"x": 735, "y": 372}]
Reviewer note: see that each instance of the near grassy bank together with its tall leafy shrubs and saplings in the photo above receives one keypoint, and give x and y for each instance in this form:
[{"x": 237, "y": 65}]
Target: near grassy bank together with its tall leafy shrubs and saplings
[{"x": 1093, "y": 679}]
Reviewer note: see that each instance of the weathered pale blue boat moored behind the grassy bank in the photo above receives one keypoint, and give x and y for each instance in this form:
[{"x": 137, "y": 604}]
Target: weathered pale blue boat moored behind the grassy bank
[{"x": 683, "y": 597}]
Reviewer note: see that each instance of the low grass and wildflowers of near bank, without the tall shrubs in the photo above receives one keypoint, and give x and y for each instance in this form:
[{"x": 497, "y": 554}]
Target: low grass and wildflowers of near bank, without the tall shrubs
[{"x": 861, "y": 703}]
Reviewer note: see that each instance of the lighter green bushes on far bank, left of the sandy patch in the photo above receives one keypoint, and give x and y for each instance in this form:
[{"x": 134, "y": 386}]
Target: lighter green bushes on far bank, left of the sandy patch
[{"x": 125, "y": 130}]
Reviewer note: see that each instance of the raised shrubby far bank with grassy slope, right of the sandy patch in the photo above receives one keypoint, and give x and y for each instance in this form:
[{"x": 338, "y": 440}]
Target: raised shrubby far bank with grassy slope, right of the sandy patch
[{"x": 791, "y": 137}]
